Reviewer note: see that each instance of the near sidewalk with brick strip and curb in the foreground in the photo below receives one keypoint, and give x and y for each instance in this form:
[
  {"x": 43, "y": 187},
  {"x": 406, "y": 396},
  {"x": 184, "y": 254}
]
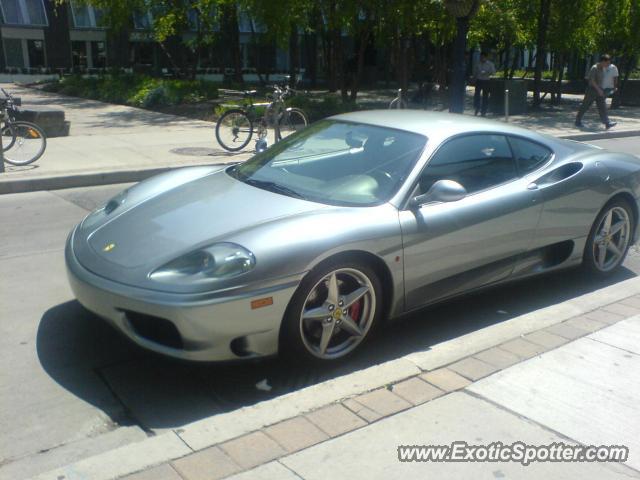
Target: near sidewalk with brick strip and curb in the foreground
[{"x": 567, "y": 373}]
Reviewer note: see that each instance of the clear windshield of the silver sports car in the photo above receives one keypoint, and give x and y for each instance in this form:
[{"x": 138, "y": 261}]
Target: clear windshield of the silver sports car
[{"x": 336, "y": 163}]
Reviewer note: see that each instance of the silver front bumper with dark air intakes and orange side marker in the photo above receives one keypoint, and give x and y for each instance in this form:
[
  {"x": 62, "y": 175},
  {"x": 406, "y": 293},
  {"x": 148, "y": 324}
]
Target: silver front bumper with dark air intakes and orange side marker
[{"x": 210, "y": 327}]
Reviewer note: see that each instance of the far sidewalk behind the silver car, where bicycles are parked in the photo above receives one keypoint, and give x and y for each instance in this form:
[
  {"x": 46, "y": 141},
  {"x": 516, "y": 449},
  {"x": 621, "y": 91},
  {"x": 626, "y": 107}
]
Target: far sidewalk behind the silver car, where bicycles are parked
[{"x": 115, "y": 143}]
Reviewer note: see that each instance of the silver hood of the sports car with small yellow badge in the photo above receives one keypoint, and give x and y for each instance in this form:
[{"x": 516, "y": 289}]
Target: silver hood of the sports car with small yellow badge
[{"x": 177, "y": 220}]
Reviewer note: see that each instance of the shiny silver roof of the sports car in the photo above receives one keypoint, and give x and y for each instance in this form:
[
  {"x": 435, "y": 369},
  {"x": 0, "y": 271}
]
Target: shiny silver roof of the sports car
[{"x": 435, "y": 125}]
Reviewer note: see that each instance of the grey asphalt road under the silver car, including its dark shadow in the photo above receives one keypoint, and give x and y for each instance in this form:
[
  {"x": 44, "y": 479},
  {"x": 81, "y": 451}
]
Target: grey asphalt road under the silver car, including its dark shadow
[{"x": 72, "y": 386}]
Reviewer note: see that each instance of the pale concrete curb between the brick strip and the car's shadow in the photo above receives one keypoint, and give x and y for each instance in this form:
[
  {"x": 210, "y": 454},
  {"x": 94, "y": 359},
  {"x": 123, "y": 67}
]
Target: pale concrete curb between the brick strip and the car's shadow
[{"x": 214, "y": 430}]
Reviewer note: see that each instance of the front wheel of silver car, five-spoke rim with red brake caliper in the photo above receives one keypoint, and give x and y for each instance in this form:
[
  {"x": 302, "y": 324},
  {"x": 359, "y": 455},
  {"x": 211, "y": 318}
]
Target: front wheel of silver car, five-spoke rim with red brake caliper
[{"x": 333, "y": 312}]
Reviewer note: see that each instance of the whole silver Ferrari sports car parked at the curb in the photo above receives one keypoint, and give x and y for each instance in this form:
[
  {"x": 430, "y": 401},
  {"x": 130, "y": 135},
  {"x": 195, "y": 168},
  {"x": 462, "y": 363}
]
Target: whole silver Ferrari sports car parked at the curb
[{"x": 307, "y": 247}]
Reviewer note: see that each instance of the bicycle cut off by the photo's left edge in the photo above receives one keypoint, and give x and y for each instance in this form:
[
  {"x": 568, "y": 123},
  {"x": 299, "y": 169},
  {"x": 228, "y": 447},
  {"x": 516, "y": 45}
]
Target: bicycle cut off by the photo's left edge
[{"x": 22, "y": 142}]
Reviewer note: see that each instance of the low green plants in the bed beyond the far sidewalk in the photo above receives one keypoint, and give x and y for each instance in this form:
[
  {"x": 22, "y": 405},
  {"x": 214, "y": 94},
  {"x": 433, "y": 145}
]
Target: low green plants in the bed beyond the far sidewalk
[{"x": 136, "y": 90}]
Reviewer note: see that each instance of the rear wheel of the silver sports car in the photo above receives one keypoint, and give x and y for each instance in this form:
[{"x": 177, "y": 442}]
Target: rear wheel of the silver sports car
[{"x": 621, "y": 239}]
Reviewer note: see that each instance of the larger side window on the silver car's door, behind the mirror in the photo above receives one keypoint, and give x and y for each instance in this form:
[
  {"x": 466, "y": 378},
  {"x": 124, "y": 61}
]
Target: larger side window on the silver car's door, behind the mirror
[{"x": 476, "y": 162}]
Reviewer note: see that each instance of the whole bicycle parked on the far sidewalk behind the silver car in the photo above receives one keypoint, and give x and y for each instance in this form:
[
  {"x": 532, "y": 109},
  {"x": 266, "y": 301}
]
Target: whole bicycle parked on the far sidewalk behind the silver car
[{"x": 236, "y": 126}]
